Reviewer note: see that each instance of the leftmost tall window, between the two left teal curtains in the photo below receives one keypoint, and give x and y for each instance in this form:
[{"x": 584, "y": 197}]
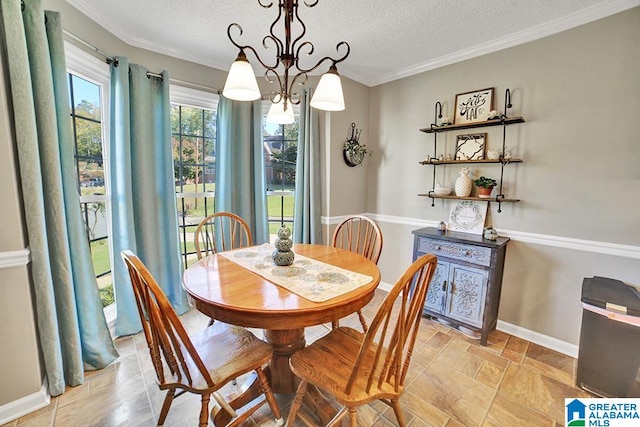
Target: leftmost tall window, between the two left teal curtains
[{"x": 88, "y": 79}]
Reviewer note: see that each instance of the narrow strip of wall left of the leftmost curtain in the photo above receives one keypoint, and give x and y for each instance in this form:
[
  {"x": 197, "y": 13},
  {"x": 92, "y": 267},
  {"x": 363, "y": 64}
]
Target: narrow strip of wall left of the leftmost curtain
[{"x": 19, "y": 364}]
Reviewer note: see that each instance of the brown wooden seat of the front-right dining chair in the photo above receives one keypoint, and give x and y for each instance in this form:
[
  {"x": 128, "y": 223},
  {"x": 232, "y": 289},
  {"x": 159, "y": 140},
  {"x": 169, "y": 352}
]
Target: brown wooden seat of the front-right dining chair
[{"x": 338, "y": 350}]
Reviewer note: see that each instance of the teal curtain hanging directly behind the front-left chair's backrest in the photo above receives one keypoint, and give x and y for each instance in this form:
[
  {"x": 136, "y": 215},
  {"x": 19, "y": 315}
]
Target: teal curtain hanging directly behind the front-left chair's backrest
[{"x": 143, "y": 198}]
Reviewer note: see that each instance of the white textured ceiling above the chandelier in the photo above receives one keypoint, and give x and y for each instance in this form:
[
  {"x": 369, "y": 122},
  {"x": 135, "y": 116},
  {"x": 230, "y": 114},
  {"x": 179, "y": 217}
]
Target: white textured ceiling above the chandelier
[{"x": 388, "y": 39}]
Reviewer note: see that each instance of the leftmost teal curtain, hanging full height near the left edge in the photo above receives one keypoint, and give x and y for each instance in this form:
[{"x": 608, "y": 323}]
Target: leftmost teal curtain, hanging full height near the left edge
[{"x": 73, "y": 332}]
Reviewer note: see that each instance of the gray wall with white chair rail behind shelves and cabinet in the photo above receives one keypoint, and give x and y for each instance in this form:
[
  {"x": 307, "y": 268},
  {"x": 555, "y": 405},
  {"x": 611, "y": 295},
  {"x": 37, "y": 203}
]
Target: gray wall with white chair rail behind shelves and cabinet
[{"x": 579, "y": 92}]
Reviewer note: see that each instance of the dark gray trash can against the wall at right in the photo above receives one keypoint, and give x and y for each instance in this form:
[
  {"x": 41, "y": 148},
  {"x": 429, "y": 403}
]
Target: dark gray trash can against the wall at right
[{"x": 609, "y": 354}]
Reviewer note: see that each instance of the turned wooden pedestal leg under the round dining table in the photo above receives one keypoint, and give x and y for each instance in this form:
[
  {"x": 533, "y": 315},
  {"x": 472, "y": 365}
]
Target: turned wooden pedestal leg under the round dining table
[{"x": 284, "y": 343}]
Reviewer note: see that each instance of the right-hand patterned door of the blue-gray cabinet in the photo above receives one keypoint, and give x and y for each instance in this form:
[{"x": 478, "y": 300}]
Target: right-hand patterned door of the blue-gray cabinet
[{"x": 468, "y": 288}]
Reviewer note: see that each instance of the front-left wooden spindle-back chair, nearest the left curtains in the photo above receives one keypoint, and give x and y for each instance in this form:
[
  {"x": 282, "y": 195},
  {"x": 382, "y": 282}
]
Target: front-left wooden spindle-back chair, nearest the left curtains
[{"x": 201, "y": 364}]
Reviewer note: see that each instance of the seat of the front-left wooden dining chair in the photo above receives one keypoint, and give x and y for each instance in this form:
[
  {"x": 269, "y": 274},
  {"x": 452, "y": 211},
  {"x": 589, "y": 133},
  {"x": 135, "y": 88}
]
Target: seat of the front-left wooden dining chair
[{"x": 227, "y": 352}]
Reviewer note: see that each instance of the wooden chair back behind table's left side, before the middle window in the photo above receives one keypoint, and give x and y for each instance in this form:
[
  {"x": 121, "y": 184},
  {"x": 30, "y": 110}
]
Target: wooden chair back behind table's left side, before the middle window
[{"x": 221, "y": 231}]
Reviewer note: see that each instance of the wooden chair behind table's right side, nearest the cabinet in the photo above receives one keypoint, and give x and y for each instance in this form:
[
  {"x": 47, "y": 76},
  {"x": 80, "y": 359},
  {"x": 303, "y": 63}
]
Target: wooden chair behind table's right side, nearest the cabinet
[{"x": 359, "y": 234}]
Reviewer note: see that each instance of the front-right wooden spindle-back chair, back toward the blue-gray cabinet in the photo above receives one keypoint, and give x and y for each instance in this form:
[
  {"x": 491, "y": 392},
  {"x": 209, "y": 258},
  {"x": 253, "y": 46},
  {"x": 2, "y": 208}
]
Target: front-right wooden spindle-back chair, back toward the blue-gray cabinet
[{"x": 357, "y": 368}]
